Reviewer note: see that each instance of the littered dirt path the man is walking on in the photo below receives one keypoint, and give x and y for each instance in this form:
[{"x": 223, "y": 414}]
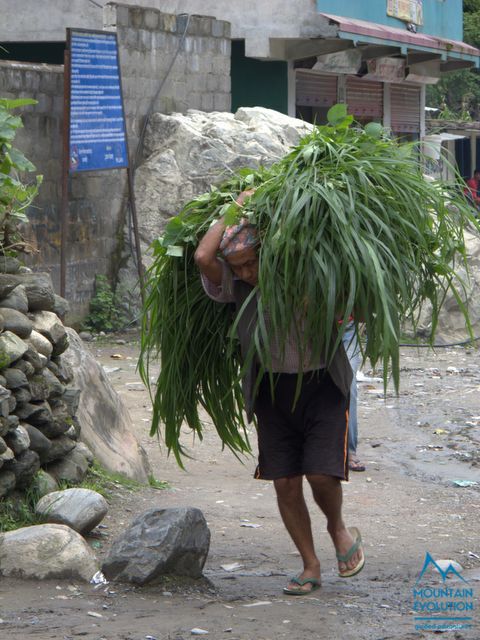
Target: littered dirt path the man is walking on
[{"x": 406, "y": 504}]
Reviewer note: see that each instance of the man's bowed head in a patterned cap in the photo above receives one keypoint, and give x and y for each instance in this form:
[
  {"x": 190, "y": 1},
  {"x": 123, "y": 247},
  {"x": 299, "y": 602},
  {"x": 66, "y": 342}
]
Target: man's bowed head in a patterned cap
[{"x": 239, "y": 247}]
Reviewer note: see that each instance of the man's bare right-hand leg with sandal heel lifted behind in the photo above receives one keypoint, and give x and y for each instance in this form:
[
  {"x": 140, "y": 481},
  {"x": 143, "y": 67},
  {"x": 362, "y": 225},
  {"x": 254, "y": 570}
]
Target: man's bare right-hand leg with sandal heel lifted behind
[{"x": 327, "y": 492}]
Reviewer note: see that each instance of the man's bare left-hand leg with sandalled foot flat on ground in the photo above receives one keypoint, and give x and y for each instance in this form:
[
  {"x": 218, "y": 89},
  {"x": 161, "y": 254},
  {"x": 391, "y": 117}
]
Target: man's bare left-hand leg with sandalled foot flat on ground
[{"x": 296, "y": 519}]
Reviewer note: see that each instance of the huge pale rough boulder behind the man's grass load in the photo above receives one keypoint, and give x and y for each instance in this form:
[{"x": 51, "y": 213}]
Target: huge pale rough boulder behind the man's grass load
[{"x": 186, "y": 153}]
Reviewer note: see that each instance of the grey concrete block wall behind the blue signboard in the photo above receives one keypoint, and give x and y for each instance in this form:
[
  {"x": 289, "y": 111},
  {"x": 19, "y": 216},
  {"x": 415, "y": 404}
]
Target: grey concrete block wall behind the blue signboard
[{"x": 148, "y": 42}]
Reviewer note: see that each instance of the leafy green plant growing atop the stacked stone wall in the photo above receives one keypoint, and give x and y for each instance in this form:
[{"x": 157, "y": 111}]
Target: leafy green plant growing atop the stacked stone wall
[{"x": 15, "y": 194}]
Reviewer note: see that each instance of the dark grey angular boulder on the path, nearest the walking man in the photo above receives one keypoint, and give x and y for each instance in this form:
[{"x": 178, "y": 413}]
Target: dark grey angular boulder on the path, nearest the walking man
[{"x": 159, "y": 542}]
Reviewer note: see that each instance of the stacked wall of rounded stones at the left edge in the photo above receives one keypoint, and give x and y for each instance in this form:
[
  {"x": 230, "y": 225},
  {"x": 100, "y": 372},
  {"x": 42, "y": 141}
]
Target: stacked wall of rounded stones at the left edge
[{"x": 38, "y": 428}]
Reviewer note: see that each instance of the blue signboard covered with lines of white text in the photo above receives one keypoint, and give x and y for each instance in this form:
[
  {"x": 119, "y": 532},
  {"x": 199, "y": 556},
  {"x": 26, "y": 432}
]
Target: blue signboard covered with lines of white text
[{"x": 97, "y": 122}]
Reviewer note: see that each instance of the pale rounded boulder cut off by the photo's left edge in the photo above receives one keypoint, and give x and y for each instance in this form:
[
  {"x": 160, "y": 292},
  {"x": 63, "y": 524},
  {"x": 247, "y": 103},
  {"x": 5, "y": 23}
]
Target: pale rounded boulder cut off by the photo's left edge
[{"x": 46, "y": 551}]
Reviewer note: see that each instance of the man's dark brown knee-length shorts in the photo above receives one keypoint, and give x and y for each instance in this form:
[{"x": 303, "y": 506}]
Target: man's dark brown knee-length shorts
[{"x": 310, "y": 439}]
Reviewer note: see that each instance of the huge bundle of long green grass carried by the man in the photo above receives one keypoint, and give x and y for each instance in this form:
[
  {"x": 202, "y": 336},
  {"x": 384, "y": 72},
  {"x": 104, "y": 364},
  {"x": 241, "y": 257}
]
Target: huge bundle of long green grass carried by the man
[{"x": 349, "y": 227}]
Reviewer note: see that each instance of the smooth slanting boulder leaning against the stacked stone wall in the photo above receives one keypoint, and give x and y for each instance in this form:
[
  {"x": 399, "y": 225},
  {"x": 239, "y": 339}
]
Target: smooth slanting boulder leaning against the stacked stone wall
[{"x": 106, "y": 425}]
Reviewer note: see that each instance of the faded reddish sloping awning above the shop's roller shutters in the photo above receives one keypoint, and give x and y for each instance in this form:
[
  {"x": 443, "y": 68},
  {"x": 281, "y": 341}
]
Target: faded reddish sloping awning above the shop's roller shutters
[{"x": 373, "y": 33}]
